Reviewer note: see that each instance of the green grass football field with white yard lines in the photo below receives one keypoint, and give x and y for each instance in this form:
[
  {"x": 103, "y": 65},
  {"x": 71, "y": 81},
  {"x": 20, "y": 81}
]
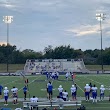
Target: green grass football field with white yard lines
[{"x": 37, "y": 87}]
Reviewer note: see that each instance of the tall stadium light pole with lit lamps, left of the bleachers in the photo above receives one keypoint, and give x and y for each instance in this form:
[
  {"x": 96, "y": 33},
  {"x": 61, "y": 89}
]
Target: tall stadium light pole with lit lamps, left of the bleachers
[{"x": 7, "y": 20}]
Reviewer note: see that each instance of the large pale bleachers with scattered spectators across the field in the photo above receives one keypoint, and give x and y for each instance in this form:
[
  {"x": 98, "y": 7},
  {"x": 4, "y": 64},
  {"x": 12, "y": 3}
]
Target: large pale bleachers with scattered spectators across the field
[{"x": 53, "y": 65}]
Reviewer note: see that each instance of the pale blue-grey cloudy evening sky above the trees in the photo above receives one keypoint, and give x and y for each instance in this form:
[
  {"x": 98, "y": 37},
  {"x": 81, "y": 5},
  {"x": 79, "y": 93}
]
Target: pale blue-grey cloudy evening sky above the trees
[{"x": 39, "y": 23}]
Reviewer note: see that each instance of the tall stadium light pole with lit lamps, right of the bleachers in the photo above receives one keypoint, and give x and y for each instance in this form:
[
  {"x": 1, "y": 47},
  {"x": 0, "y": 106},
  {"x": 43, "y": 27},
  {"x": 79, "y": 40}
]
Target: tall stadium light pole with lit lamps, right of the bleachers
[{"x": 100, "y": 17}]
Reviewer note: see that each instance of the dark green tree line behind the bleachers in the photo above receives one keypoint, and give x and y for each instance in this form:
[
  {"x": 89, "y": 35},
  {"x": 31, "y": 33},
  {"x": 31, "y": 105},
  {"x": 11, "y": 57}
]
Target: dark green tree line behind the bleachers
[{"x": 91, "y": 57}]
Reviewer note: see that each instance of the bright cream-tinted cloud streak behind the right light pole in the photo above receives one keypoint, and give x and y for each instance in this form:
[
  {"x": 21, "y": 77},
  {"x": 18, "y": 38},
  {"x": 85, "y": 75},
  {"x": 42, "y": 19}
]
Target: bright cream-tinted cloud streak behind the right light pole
[{"x": 90, "y": 29}]
